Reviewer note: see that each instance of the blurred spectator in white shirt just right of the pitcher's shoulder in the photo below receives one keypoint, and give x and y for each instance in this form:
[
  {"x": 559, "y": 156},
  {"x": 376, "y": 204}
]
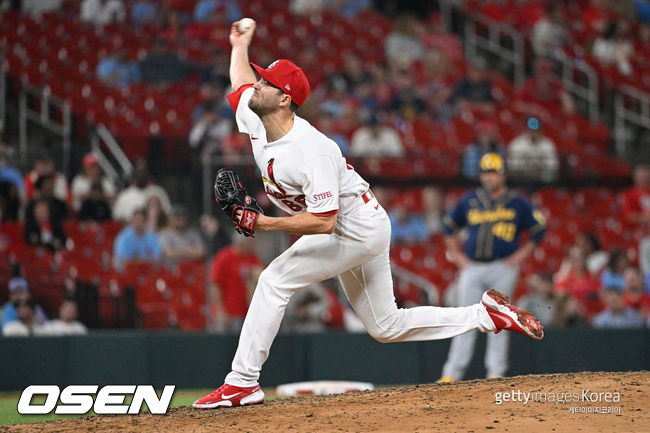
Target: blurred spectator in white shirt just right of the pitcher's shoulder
[{"x": 374, "y": 140}]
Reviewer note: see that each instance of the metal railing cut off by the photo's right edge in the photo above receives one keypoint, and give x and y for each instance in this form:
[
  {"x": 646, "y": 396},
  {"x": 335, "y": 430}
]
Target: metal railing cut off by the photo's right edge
[{"x": 632, "y": 106}]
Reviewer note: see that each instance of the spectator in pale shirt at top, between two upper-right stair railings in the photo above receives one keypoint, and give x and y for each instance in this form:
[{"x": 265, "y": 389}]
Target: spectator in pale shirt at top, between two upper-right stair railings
[{"x": 550, "y": 34}]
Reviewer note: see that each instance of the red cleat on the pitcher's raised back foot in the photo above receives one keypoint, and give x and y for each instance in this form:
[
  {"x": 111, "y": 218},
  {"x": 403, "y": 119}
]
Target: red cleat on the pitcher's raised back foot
[{"x": 508, "y": 316}]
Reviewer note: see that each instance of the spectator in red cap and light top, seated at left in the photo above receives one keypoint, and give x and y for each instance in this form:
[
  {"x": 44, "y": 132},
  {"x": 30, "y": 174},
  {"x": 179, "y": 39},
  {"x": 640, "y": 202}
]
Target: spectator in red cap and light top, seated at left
[{"x": 92, "y": 193}]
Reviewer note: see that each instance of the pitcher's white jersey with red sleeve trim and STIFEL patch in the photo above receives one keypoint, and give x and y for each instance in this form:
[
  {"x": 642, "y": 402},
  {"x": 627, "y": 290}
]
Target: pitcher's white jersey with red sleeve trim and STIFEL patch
[{"x": 302, "y": 171}]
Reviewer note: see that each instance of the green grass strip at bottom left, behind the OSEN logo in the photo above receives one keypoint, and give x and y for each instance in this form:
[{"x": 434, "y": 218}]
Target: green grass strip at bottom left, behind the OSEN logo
[{"x": 10, "y": 415}]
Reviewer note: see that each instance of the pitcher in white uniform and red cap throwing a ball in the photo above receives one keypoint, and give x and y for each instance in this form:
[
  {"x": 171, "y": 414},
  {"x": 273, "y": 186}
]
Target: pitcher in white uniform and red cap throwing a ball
[{"x": 345, "y": 231}]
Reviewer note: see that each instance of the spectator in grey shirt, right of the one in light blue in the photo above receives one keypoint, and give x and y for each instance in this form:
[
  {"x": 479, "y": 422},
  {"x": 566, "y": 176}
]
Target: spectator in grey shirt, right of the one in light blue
[{"x": 178, "y": 242}]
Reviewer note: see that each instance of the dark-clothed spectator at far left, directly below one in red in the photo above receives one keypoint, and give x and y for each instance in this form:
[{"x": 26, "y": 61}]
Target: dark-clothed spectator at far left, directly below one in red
[{"x": 41, "y": 229}]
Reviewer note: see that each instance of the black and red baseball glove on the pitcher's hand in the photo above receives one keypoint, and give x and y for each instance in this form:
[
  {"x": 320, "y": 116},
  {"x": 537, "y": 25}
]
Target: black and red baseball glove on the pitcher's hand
[{"x": 232, "y": 197}]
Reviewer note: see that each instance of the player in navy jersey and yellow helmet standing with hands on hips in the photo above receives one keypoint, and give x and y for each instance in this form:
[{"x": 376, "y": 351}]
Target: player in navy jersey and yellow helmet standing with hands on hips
[{"x": 491, "y": 257}]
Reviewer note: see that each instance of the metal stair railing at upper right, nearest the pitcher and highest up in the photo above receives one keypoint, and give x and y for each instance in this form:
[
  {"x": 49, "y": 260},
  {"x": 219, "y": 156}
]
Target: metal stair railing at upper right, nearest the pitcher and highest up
[{"x": 494, "y": 44}]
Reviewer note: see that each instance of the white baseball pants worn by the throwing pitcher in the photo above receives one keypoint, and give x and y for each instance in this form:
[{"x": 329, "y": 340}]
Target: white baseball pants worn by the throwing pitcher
[{"x": 358, "y": 252}]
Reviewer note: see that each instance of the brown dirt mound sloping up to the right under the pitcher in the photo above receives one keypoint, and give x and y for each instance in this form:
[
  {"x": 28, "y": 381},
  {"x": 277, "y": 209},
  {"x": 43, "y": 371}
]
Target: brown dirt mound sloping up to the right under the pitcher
[{"x": 463, "y": 407}]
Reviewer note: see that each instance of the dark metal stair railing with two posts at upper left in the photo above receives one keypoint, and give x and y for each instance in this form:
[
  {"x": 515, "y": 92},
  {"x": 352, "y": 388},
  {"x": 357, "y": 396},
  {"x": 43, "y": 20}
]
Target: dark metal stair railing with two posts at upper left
[{"x": 47, "y": 104}]
